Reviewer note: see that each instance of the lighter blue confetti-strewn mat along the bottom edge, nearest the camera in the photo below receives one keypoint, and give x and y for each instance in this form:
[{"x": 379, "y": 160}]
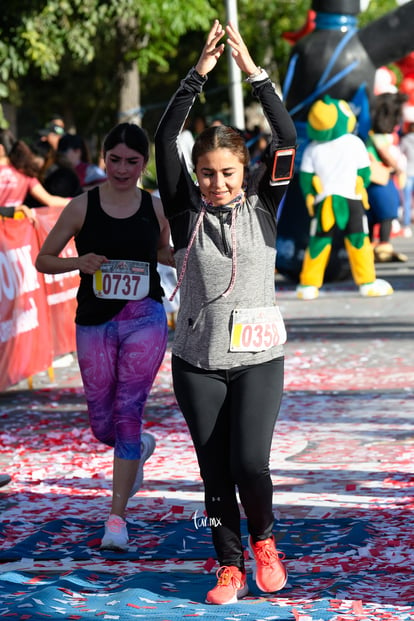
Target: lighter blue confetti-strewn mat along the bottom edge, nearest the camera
[{"x": 168, "y": 597}]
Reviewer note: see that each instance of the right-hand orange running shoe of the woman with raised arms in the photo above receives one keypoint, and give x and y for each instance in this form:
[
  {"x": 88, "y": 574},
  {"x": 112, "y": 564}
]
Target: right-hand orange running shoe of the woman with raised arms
[{"x": 270, "y": 573}]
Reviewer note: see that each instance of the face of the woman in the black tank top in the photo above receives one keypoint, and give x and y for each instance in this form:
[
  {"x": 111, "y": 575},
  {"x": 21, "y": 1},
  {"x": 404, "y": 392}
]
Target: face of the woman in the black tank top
[{"x": 124, "y": 166}]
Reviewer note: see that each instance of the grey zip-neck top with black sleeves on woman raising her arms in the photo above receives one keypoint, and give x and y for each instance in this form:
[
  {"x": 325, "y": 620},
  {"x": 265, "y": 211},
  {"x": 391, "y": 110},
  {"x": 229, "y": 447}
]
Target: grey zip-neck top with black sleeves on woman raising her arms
[{"x": 229, "y": 251}]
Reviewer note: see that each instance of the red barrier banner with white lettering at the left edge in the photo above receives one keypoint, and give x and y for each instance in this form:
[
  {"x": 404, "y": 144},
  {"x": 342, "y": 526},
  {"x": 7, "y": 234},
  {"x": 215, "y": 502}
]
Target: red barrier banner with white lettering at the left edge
[{"x": 36, "y": 310}]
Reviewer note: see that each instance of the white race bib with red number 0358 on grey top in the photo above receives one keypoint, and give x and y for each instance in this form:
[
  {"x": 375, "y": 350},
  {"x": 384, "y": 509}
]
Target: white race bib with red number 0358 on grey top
[{"x": 257, "y": 329}]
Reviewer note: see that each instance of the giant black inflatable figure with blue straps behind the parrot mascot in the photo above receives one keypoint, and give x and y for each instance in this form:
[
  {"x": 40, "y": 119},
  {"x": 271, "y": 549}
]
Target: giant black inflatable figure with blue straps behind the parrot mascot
[{"x": 339, "y": 60}]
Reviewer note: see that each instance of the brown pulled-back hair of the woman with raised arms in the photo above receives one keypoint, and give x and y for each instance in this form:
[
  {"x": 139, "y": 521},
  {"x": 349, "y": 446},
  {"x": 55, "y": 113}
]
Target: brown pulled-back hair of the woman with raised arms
[{"x": 221, "y": 137}]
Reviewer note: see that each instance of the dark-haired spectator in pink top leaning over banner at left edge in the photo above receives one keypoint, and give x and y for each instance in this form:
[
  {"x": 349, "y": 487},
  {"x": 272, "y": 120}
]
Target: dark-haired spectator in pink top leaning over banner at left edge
[{"x": 19, "y": 172}]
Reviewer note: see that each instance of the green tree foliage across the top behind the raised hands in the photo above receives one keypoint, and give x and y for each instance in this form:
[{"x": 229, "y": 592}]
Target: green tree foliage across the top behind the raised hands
[{"x": 70, "y": 55}]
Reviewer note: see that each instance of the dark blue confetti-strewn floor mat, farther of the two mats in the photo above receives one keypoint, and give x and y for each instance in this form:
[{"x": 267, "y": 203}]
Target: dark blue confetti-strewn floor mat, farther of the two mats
[{"x": 80, "y": 539}]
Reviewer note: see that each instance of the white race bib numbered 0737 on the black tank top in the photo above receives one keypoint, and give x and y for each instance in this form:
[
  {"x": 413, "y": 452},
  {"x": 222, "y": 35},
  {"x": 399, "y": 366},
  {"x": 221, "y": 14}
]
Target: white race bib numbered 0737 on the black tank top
[{"x": 122, "y": 280}]
